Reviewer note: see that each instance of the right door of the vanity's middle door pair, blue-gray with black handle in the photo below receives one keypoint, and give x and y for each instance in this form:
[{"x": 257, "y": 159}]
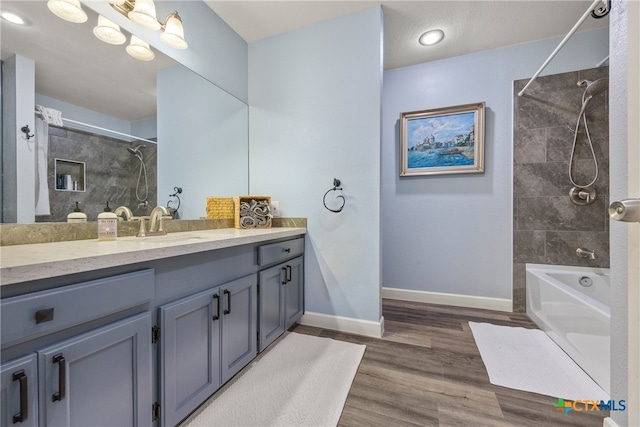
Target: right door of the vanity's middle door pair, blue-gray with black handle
[{"x": 239, "y": 321}]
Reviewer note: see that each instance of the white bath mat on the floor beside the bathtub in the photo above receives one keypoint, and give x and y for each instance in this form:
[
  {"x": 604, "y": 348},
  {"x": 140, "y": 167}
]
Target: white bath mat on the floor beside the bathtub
[{"x": 527, "y": 359}]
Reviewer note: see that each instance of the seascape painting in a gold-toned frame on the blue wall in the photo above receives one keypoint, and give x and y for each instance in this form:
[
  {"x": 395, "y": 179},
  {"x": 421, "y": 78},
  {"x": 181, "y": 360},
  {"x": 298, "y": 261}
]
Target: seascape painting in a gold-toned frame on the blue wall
[{"x": 442, "y": 141}]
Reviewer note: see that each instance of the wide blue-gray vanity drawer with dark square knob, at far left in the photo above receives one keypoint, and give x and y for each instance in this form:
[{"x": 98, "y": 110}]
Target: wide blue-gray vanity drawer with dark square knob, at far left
[{"x": 29, "y": 316}]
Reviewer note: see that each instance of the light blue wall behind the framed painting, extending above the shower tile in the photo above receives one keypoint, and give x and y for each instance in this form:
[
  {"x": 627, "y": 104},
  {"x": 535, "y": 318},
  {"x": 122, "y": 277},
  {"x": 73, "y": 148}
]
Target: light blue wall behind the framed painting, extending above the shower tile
[{"x": 453, "y": 233}]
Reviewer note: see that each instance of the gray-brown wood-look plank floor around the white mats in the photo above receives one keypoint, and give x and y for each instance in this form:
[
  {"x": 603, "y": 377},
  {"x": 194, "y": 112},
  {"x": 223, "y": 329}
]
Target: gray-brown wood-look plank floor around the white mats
[{"x": 427, "y": 371}]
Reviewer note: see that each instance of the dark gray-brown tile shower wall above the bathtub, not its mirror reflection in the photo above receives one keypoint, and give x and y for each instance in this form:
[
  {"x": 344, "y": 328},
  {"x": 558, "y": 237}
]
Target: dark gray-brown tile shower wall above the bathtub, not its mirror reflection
[{"x": 548, "y": 227}]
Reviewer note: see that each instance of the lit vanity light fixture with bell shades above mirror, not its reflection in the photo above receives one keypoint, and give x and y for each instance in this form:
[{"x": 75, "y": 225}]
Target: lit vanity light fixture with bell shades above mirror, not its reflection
[{"x": 143, "y": 13}]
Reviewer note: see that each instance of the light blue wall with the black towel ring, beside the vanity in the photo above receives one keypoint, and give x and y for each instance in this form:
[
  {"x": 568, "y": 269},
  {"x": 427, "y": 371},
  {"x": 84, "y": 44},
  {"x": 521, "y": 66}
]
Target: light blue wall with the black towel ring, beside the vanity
[{"x": 315, "y": 115}]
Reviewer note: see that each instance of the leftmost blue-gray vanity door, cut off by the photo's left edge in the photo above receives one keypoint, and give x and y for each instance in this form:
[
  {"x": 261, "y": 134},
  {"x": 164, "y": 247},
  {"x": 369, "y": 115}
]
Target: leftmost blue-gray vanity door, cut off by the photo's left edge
[{"x": 19, "y": 392}]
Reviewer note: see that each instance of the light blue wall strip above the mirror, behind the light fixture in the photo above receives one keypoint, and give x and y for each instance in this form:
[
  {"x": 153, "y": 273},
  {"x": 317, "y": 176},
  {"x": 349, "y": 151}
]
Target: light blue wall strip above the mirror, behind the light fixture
[{"x": 216, "y": 52}]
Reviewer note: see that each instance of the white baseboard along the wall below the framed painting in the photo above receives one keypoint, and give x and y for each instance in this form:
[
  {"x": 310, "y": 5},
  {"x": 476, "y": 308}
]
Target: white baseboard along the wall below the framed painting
[{"x": 470, "y": 301}]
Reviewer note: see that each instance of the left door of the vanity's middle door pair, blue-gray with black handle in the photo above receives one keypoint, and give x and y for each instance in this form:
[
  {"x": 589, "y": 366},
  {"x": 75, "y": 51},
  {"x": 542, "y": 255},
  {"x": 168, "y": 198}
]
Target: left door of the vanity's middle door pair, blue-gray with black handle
[{"x": 190, "y": 355}]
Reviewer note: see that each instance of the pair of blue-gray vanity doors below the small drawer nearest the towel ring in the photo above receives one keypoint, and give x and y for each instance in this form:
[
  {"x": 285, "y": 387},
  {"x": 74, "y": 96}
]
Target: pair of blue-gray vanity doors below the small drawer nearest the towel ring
[{"x": 281, "y": 299}]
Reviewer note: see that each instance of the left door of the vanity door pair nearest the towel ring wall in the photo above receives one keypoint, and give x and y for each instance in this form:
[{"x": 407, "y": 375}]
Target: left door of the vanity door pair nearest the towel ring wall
[{"x": 271, "y": 322}]
